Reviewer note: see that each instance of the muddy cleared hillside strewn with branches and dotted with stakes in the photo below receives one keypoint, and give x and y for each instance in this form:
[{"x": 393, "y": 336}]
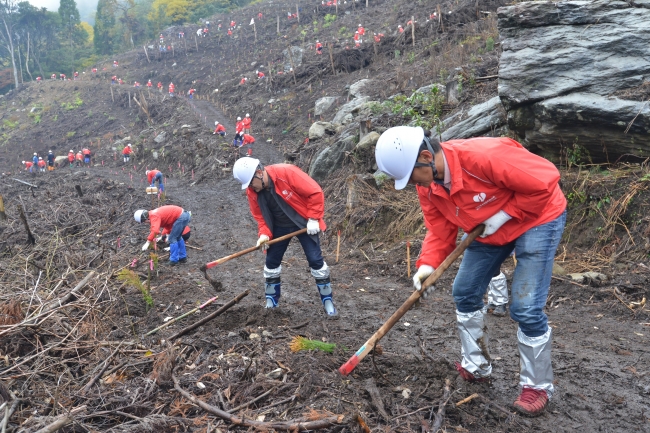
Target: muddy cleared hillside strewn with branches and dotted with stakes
[{"x": 84, "y": 360}]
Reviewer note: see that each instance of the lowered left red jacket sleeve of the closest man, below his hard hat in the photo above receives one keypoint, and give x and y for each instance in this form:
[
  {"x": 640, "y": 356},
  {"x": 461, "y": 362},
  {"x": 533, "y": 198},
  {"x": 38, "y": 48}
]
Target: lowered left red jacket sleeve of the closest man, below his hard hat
[{"x": 440, "y": 239}]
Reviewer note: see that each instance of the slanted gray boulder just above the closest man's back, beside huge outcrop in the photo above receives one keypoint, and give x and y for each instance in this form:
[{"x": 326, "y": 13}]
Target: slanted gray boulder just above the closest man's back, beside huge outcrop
[{"x": 486, "y": 119}]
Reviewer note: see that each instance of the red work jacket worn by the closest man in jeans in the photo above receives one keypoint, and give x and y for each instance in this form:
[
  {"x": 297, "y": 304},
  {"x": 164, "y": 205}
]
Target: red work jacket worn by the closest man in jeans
[{"x": 488, "y": 175}]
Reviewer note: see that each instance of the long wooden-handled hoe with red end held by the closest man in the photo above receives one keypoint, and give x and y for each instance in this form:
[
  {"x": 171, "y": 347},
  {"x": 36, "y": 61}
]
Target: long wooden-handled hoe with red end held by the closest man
[{"x": 369, "y": 345}]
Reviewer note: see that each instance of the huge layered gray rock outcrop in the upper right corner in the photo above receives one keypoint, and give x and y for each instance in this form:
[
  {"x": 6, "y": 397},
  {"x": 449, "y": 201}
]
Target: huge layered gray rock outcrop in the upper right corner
[{"x": 566, "y": 70}]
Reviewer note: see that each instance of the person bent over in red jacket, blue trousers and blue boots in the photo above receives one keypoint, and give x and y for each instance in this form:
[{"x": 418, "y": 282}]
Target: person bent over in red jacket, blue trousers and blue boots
[{"x": 172, "y": 218}]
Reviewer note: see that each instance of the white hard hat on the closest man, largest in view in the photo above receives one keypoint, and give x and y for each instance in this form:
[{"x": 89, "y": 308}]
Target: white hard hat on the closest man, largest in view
[{"x": 397, "y": 151}]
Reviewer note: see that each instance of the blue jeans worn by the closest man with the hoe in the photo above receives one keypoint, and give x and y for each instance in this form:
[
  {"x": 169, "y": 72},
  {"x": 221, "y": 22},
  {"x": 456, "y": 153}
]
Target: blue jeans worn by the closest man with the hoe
[{"x": 530, "y": 283}]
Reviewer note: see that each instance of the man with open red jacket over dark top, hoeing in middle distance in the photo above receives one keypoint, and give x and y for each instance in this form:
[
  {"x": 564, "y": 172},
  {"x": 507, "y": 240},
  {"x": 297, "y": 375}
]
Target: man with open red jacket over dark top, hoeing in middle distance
[{"x": 284, "y": 199}]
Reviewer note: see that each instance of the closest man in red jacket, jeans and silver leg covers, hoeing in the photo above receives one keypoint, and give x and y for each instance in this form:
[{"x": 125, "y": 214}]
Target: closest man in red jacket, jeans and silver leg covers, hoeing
[{"x": 516, "y": 195}]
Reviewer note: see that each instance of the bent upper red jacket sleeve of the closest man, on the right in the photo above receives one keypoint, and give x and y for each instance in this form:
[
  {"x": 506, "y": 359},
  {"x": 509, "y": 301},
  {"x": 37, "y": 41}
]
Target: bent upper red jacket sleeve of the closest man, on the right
[{"x": 532, "y": 178}]
